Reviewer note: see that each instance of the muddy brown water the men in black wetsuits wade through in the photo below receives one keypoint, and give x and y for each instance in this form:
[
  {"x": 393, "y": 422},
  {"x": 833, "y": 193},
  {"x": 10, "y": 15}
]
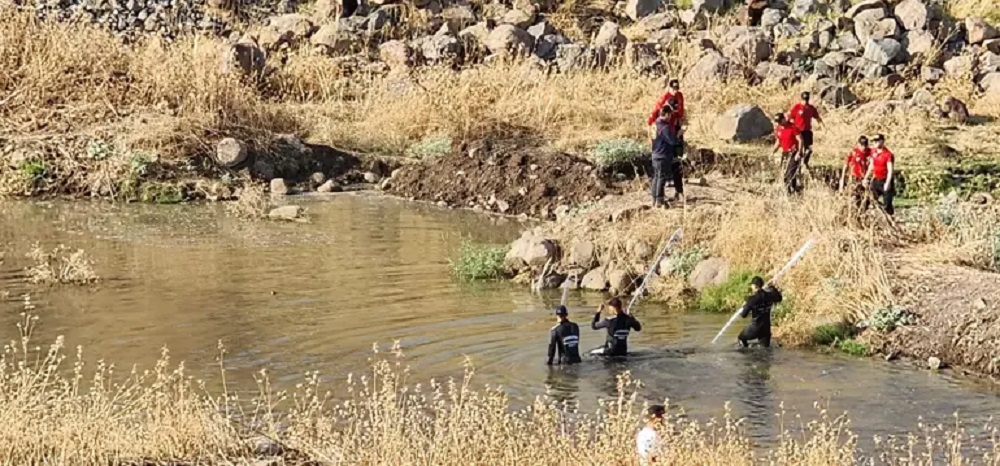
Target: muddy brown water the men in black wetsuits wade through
[{"x": 369, "y": 269}]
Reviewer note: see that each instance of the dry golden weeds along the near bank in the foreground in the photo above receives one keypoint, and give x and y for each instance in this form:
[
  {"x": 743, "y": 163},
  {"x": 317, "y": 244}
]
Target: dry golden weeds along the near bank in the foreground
[{"x": 59, "y": 411}]
